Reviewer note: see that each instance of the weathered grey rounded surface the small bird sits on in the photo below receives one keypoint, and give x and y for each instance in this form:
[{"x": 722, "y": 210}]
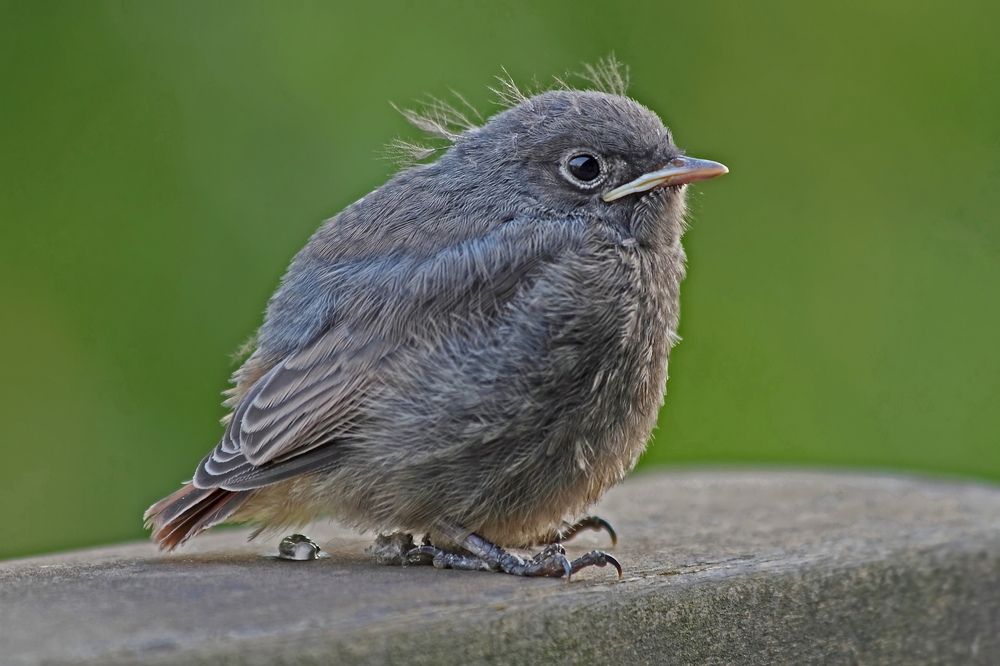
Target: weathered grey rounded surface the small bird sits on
[{"x": 721, "y": 567}]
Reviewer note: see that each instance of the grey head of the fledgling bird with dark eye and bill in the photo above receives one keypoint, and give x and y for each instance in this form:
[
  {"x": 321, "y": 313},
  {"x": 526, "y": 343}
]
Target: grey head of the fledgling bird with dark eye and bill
[{"x": 581, "y": 152}]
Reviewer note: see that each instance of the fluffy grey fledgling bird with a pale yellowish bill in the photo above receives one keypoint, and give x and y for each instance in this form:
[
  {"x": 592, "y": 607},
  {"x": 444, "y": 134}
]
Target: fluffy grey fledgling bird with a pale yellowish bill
[{"x": 475, "y": 350}]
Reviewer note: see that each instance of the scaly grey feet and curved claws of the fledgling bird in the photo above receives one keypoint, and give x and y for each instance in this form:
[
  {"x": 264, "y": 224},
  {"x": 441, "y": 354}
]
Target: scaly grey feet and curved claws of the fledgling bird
[{"x": 482, "y": 555}]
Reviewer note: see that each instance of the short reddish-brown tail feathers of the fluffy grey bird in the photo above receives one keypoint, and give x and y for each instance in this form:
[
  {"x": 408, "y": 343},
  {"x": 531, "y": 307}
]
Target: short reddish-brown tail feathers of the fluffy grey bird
[{"x": 190, "y": 511}]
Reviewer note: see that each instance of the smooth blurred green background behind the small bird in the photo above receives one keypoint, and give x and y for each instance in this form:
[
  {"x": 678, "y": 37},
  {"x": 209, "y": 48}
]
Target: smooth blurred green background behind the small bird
[{"x": 161, "y": 163}]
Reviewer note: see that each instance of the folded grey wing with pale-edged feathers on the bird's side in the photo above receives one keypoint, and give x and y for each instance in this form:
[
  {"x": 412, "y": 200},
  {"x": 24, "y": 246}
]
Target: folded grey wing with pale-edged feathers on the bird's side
[{"x": 290, "y": 420}]
